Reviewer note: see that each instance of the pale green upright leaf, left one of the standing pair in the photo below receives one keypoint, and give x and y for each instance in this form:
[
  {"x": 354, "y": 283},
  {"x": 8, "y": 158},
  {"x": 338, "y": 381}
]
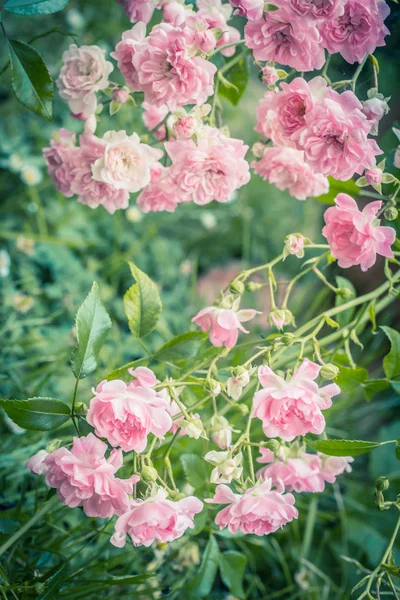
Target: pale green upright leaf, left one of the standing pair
[{"x": 92, "y": 326}]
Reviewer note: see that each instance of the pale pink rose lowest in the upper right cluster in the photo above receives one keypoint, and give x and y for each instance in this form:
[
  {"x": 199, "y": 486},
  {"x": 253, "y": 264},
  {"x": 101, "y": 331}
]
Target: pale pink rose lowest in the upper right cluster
[{"x": 287, "y": 169}]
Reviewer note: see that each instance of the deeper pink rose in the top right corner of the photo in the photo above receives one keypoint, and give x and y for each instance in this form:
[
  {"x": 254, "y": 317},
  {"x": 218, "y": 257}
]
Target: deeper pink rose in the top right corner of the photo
[{"x": 357, "y": 32}]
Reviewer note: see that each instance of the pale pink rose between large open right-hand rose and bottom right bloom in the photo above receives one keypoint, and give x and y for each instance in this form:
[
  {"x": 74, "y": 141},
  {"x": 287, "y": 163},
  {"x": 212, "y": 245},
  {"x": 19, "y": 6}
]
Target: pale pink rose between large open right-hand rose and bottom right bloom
[{"x": 298, "y": 473}]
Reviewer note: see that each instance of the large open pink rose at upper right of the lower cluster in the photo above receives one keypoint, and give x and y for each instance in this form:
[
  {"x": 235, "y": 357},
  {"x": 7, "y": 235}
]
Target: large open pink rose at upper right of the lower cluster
[{"x": 291, "y": 408}]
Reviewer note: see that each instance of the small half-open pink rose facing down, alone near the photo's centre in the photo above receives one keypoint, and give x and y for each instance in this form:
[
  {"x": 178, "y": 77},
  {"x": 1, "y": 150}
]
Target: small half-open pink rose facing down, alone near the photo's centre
[{"x": 223, "y": 324}]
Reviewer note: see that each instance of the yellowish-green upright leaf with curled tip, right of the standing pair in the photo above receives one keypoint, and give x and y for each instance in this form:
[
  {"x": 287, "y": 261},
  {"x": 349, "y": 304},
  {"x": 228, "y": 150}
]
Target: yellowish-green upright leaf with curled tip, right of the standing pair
[{"x": 142, "y": 304}]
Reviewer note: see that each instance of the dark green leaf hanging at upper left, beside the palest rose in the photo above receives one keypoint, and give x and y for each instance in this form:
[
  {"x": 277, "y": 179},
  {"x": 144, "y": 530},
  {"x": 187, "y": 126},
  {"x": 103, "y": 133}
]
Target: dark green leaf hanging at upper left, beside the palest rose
[{"x": 31, "y": 81}]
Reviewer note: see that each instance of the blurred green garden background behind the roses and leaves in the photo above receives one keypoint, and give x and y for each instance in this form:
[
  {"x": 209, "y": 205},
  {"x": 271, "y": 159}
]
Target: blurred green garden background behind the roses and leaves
[{"x": 52, "y": 249}]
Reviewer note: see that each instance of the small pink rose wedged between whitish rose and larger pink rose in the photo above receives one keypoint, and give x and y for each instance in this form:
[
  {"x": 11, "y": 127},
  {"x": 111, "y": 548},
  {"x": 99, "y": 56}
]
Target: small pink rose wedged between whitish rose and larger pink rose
[{"x": 162, "y": 193}]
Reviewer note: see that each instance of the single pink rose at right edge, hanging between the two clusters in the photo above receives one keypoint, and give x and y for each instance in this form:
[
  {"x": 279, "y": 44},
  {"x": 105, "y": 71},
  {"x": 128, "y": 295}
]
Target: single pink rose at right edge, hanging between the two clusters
[{"x": 355, "y": 237}]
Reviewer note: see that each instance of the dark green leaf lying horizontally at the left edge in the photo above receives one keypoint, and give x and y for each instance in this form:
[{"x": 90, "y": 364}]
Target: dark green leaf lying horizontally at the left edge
[{"x": 39, "y": 414}]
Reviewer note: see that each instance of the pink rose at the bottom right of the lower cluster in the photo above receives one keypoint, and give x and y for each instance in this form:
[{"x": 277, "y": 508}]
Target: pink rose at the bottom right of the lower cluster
[{"x": 260, "y": 510}]
